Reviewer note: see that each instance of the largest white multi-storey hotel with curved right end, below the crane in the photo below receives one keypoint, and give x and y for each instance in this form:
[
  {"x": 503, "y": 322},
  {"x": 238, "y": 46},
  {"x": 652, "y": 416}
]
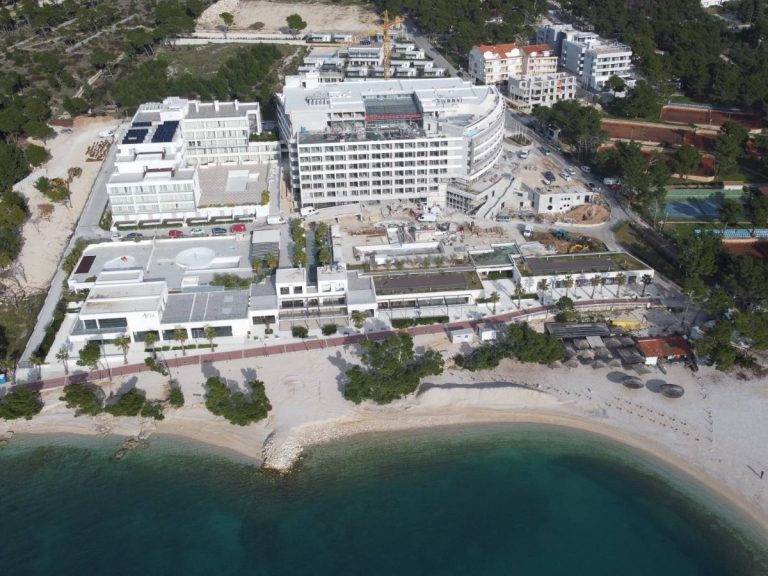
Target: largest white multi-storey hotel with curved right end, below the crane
[{"x": 387, "y": 140}]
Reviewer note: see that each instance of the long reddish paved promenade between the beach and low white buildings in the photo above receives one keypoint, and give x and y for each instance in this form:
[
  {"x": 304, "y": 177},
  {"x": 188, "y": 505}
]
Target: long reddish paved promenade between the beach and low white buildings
[{"x": 333, "y": 342}]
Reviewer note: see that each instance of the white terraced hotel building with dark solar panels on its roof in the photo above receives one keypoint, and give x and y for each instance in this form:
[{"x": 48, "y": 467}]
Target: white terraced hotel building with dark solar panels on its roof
[{"x": 184, "y": 159}]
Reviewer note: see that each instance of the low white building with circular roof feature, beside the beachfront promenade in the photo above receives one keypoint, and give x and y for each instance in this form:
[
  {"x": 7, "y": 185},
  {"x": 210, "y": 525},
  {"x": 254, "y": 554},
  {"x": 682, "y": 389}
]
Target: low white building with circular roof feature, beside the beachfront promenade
[{"x": 161, "y": 286}]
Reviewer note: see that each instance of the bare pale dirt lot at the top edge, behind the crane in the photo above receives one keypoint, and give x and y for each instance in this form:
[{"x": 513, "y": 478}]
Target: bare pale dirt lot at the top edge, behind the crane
[{"x": 320, "y": 17}]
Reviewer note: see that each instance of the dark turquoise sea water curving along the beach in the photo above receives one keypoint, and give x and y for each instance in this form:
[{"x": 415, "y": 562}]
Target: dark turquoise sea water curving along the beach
[{"x": 522, "y": 500}]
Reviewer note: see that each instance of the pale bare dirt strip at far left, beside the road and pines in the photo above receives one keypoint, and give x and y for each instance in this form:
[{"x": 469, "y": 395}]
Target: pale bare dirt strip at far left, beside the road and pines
[{"x": 45, "y": 239}]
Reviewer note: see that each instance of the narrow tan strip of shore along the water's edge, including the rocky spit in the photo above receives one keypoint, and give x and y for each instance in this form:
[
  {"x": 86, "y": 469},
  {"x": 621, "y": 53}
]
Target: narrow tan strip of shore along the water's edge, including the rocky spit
[{"x": 315, "y": 434}]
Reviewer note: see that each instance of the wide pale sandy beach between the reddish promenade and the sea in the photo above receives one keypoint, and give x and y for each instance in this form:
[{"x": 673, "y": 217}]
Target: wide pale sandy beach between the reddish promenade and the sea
[{"x": 711, "y": 433}]
